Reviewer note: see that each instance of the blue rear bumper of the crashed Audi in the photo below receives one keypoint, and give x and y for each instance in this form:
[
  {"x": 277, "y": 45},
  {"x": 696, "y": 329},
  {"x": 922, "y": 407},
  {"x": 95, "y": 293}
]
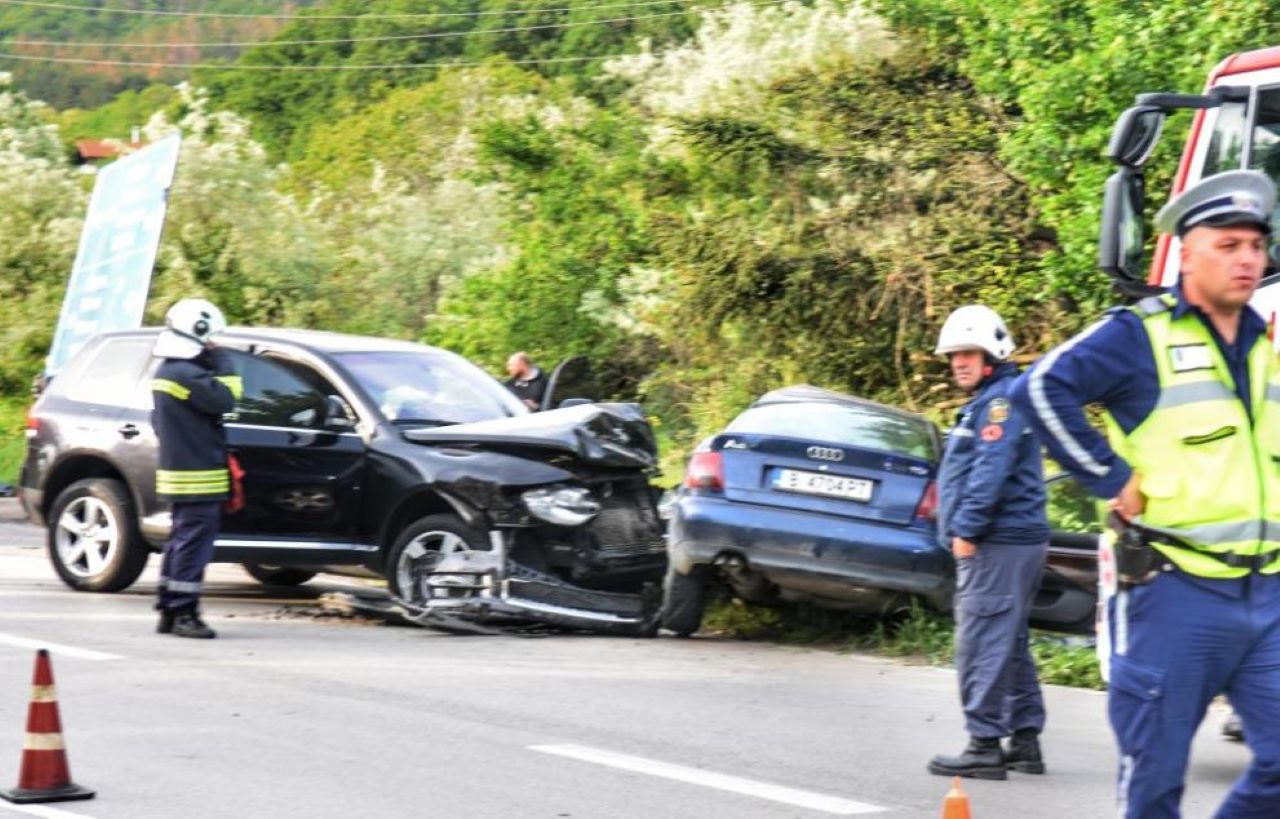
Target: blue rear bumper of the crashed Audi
[{"x": 804, "y": 547}]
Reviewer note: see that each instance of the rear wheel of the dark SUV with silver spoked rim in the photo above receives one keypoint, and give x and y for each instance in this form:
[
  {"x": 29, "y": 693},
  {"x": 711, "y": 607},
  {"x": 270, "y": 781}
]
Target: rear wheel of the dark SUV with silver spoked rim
[{"x": 94, "y": 539}]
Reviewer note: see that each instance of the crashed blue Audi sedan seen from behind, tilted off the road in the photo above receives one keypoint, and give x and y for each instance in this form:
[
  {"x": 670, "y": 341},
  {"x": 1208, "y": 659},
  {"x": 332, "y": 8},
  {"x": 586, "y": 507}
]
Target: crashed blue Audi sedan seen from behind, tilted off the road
[{"x": 825, "y": 498}]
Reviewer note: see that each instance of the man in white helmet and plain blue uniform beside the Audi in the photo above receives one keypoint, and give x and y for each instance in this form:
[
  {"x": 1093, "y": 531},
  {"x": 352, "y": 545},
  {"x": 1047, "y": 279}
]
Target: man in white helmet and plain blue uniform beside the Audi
[{"x": 991, "y": 516}]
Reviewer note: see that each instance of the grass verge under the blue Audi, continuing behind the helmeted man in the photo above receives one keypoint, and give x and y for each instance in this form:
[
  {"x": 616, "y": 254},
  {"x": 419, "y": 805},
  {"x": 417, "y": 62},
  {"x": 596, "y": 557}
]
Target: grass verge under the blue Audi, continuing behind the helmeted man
[{"x": 918, "y": 635}]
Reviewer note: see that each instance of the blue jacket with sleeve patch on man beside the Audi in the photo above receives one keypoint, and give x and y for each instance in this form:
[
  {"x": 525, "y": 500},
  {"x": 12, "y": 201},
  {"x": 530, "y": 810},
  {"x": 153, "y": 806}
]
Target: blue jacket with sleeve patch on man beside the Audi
[{"x": 990, "y": 486}]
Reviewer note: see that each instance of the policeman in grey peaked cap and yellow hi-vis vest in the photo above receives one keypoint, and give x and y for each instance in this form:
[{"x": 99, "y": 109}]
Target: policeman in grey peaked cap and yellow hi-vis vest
[{"x": 1191, "y": 392}]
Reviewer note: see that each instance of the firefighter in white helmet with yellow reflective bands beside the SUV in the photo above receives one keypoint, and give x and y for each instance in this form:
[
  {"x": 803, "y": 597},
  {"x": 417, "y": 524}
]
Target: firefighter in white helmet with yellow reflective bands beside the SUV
[{"x": 193, "y": 388}]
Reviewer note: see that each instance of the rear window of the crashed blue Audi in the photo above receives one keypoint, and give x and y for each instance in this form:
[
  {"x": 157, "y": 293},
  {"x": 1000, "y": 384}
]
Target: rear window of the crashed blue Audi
[{"x": 847, "y": 425}]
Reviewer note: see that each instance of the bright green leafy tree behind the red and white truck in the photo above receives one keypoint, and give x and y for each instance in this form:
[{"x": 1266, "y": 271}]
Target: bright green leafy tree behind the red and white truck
[{"x": 1062, "y": 74}]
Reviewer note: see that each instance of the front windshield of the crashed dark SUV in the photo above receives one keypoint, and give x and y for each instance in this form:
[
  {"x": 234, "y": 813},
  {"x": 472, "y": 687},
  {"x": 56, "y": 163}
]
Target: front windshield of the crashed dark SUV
[{"x": 429, "y": 387}]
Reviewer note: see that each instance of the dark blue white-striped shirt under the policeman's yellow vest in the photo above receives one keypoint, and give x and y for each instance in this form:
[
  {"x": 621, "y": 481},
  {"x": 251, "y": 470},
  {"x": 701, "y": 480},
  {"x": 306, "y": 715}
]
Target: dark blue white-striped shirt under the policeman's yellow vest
[{"x": 1113, "y": 364}]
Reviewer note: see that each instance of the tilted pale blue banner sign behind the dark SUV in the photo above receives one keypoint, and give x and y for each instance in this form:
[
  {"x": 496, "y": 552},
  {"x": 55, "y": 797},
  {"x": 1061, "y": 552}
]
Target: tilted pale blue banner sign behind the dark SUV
[{"x": 108, "y": 290}]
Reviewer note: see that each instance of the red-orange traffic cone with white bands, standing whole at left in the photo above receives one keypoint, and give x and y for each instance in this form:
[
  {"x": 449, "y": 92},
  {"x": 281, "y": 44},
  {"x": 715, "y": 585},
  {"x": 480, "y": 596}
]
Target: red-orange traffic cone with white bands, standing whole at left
[{"x": 44, "y": 777}]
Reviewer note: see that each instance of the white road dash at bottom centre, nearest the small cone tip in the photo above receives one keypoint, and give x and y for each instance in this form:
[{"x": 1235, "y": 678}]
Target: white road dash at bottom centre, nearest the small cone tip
[{"x": 712, "y": 780}]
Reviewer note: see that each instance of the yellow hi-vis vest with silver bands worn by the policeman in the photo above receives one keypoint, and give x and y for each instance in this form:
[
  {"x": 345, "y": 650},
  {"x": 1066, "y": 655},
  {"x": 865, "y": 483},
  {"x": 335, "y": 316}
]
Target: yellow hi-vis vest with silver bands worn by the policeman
[{"x": 1212, "y": 477}]
